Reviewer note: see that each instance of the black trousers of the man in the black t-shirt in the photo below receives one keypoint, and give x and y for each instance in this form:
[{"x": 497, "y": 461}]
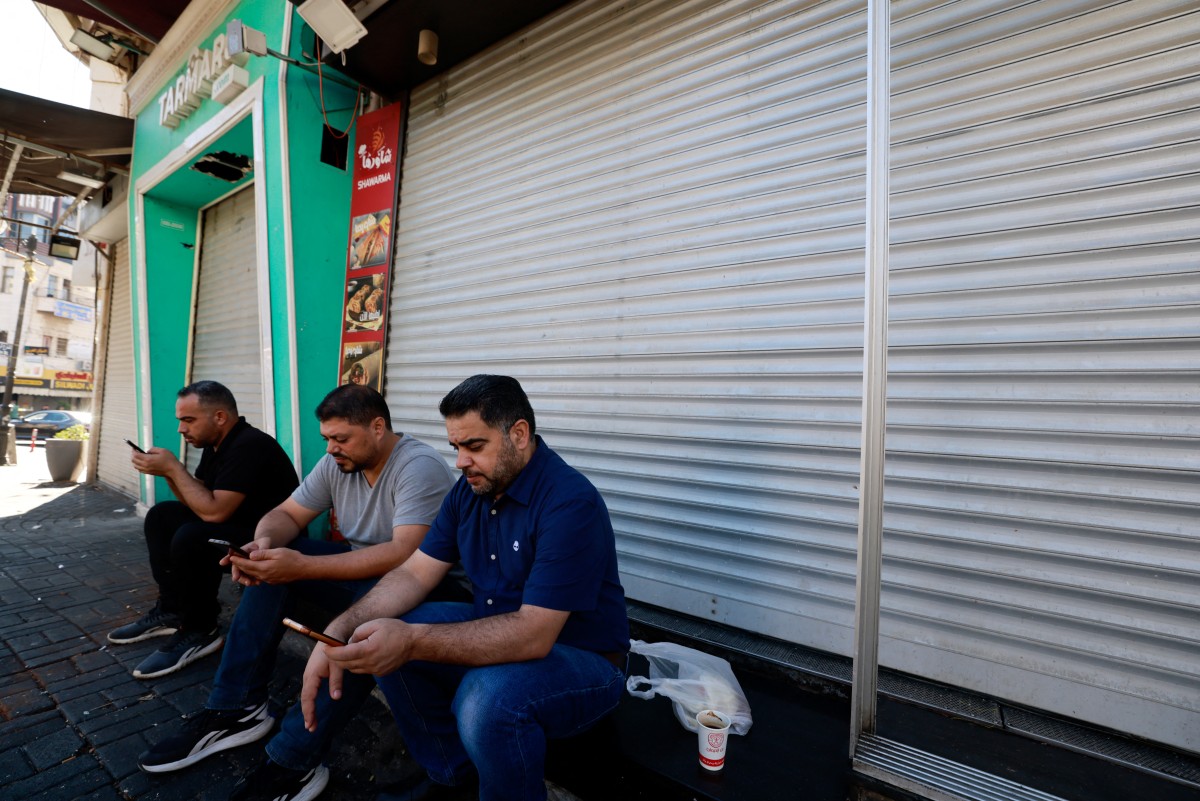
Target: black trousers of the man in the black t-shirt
[{"x": 184, "y": 565}]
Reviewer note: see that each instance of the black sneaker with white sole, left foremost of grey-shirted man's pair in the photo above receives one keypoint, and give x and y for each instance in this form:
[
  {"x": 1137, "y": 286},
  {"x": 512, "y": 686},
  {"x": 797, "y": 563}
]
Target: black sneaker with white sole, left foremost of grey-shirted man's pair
[{"x": 207, "y": 733}]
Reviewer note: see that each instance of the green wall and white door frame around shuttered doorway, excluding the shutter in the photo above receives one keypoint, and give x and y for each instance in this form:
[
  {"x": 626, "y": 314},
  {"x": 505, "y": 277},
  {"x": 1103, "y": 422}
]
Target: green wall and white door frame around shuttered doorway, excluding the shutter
[{"x": 279, "y": 119}]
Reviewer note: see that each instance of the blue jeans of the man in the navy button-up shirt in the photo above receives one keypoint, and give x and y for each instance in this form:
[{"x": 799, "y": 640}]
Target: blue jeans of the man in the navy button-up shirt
[{"x": 496, "y": 719}]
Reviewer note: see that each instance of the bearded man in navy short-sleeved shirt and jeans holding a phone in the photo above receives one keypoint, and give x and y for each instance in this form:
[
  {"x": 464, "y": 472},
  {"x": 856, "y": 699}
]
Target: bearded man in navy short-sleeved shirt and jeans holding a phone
[{"x": 478, "y": 689}]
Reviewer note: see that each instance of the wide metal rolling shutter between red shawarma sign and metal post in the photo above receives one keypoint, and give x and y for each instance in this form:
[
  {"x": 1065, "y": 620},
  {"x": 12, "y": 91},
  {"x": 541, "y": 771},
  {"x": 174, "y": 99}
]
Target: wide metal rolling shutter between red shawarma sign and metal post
[{"x": 652, "y": 216}]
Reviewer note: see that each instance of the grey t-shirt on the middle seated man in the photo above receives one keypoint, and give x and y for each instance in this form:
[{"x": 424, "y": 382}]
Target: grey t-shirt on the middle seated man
[{"x": 410, "y": 492}]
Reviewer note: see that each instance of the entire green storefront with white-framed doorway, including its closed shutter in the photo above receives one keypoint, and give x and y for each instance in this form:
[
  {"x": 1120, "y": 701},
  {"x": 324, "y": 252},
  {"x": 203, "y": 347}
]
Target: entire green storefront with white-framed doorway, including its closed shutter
[{"x": 237, "y": 239}]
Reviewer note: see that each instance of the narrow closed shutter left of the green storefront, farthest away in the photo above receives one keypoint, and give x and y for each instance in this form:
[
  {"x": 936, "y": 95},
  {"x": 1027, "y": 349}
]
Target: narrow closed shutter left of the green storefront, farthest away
[{"x": 118, "y": 413}]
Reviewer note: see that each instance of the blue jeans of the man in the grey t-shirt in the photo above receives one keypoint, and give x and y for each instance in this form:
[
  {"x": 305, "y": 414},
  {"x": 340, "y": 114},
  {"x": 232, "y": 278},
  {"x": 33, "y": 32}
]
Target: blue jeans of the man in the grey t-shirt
[{"x": 249, "y": 657}]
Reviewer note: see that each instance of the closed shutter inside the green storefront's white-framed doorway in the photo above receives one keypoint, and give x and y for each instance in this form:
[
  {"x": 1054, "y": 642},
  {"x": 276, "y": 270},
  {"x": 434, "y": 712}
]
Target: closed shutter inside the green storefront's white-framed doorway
[{"x": 227, "y": 345}]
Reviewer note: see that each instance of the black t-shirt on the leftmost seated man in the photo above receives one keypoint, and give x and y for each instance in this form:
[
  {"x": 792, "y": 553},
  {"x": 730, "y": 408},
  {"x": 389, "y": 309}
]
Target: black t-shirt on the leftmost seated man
[{"x": 253, "y": 463}]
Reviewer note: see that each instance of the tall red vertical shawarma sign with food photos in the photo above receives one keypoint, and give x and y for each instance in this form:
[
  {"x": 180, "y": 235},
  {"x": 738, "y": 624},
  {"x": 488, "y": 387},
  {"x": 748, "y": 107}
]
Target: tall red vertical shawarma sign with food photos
[{"x": 369, "y": 262}]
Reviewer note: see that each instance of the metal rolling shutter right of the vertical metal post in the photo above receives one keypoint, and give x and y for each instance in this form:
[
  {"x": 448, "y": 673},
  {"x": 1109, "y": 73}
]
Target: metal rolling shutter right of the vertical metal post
[{"x": 1041, "y": 539}]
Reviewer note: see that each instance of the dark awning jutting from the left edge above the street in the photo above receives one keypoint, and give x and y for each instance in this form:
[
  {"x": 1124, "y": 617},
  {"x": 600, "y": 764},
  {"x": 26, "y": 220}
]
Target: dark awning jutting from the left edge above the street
[{"x": 57, "y": 138}]
